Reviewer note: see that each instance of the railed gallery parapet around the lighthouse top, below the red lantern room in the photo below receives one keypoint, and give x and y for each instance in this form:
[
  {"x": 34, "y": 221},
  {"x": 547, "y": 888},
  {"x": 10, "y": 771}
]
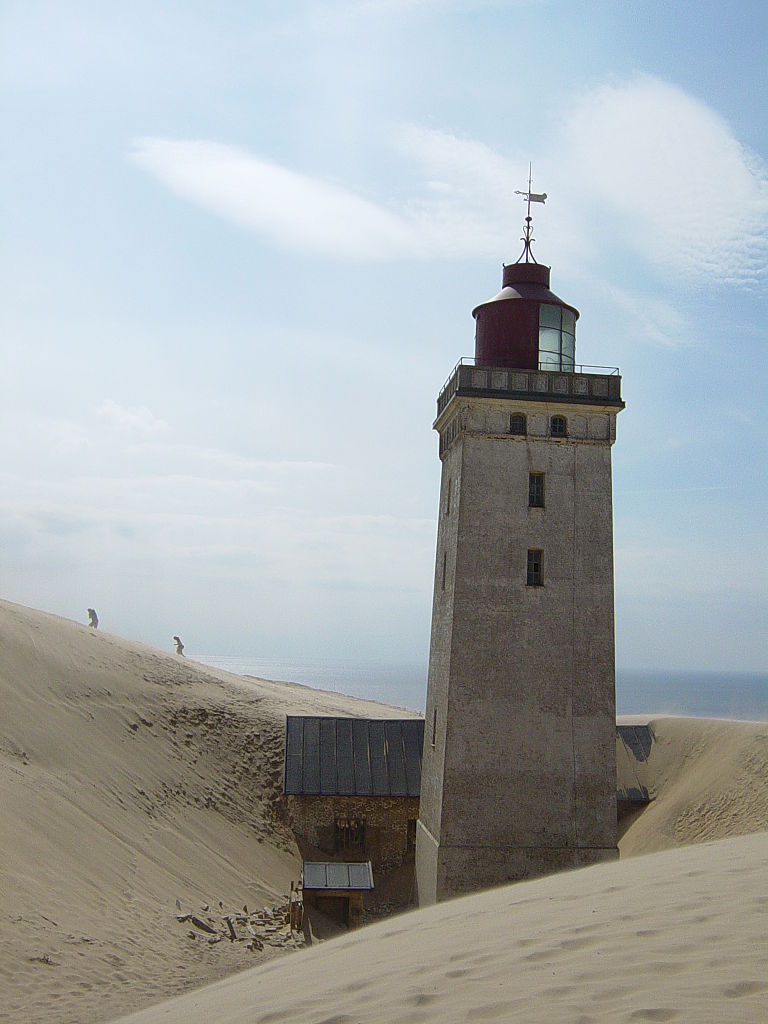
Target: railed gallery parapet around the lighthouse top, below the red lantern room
[{"x": 593, "y": 386}]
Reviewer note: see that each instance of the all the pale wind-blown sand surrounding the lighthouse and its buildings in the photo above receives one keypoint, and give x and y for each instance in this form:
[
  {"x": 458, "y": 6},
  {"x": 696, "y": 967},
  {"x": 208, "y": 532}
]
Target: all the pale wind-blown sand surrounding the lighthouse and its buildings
[{"x": 131, "y": 779}]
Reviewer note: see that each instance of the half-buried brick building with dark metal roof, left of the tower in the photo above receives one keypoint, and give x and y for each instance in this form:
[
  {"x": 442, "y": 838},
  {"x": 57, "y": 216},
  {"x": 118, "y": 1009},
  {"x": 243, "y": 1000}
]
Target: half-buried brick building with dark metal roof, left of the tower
[{"x": 353, "y": 788}]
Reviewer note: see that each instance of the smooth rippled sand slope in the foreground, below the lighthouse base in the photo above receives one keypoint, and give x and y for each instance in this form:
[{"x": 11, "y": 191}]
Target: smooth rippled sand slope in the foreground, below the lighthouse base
[{"x": 674, "y": 936}]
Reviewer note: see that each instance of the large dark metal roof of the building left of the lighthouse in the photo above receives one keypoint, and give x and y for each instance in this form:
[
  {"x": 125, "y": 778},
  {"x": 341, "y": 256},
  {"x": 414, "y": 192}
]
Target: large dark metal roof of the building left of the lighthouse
[{"x": 354, "y": 757}]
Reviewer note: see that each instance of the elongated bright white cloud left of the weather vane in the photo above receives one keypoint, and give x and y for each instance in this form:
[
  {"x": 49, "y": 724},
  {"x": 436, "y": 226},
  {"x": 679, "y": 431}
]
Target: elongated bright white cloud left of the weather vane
[{"x": 452, "y": 219}]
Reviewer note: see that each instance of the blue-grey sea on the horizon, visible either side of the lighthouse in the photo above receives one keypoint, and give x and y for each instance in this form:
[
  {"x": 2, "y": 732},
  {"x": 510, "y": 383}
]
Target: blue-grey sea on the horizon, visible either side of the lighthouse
[{"x": 705, "y": 694}]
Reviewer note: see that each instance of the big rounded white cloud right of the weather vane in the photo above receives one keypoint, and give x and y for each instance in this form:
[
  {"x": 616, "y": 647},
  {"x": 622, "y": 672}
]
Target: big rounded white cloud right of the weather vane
[{"x": 664, "y": 173}]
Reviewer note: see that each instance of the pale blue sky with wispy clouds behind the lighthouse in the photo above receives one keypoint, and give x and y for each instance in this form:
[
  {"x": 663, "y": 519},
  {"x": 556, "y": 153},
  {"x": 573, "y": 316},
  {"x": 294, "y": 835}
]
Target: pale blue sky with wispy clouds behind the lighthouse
[{"x": 241, "y": 246}]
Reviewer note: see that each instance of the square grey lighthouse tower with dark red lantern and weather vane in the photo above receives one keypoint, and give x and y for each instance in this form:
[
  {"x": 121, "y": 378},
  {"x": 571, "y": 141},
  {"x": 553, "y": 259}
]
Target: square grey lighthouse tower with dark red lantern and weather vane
[{"x": 519, "y": 775}]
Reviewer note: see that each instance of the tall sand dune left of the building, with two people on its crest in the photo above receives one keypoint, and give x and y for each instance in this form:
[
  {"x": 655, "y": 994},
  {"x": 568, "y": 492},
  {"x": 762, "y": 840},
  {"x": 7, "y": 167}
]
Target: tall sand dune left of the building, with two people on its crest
[{"x": 131, "y": 779}]
